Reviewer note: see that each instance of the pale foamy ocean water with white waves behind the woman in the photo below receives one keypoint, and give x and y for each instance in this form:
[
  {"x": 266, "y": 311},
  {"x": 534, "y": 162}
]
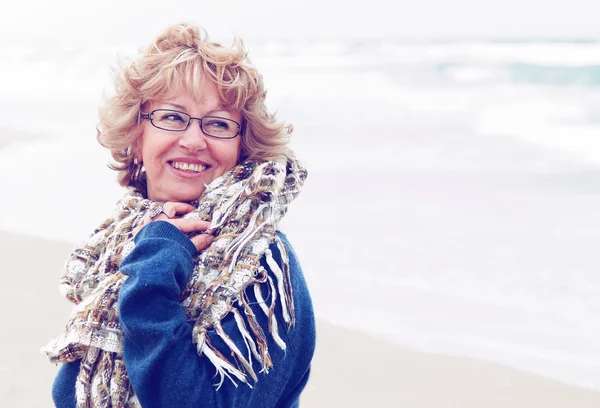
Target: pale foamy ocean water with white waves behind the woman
[{"x": 452, "y": 202}]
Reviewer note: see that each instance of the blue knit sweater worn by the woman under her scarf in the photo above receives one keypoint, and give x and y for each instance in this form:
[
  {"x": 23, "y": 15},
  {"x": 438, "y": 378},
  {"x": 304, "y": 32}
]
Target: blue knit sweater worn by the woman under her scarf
[{"x": 161, "y": 360}]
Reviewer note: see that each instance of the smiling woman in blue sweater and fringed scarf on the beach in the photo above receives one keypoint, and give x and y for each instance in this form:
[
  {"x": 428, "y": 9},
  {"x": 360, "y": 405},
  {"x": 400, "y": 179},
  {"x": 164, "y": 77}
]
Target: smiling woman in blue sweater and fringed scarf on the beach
[{"x": 188, "y": 295}]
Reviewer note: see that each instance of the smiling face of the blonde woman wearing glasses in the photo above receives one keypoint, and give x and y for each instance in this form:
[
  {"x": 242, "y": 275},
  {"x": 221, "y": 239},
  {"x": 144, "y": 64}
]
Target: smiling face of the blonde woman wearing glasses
[{"x": 179, "y": 159}]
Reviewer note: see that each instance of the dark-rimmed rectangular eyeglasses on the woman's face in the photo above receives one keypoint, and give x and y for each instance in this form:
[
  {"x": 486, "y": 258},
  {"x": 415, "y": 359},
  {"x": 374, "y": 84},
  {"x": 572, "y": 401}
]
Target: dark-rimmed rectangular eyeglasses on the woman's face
[{"x": 176, "y": 121}]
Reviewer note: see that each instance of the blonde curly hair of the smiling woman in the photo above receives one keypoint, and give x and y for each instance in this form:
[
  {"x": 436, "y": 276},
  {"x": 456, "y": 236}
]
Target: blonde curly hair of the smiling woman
[{"x": 177, "y": 60}]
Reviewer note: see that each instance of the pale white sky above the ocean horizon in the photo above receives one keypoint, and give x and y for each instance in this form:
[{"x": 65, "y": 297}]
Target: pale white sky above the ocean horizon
[{"x": 111, "y": 20}]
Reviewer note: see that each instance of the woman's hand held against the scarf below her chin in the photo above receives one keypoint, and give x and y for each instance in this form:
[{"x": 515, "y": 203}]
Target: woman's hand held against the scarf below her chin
[{"x": 172, "y": 212}]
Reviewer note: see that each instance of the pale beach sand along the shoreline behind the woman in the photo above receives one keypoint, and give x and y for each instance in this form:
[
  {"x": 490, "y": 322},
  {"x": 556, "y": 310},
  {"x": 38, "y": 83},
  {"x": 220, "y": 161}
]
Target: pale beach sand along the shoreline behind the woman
[{"x": 351, "y": 369}]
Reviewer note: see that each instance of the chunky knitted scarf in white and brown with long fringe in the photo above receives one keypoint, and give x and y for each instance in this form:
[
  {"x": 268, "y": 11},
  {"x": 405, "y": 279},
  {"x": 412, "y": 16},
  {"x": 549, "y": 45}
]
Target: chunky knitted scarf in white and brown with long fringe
[{"x": 244, "y": 207}]
